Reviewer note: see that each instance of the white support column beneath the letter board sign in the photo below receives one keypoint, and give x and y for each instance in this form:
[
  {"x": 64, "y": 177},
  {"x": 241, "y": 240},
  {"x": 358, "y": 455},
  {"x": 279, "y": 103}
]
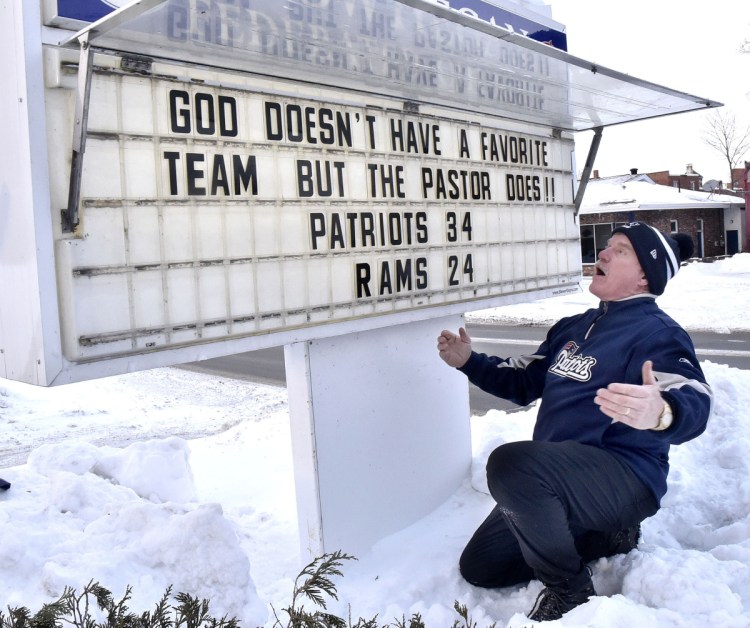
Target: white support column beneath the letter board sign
[{"x": 380, "y": 433}]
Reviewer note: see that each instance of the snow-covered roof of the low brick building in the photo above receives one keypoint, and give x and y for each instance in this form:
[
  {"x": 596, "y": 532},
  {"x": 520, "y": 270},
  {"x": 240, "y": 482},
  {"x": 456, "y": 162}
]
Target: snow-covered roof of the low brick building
[{"x": 639, "y": 192}]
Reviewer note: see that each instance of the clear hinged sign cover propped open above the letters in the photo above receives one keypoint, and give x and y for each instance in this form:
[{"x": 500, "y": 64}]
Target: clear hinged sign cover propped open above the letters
[{"x": 417, "y": 50}]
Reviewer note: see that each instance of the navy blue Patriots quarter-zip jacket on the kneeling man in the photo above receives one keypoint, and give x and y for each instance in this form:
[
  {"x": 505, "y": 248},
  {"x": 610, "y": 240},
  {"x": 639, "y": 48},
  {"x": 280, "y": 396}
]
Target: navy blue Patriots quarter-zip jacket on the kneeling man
[{"x": 589, "y": 351}]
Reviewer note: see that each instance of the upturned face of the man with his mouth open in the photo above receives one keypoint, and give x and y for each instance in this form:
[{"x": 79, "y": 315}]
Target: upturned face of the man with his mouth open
[{"x": 618, "y": 273}]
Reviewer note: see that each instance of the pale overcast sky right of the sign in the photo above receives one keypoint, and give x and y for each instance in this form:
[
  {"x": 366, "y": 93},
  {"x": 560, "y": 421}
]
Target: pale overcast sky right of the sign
[{"x": 689, "y": 47}]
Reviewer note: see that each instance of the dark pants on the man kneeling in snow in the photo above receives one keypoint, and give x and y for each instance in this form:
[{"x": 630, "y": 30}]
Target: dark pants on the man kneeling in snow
[{"x": 553, "y": 499}]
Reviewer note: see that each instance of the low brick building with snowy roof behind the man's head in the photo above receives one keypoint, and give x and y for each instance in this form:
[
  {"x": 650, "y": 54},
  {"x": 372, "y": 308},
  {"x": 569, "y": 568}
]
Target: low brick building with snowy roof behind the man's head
[{"x": 715, "y": 222}]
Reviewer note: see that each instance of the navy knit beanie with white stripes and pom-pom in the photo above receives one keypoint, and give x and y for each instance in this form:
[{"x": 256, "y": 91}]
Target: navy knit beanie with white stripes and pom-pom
[{"x": 659, "y": 254}]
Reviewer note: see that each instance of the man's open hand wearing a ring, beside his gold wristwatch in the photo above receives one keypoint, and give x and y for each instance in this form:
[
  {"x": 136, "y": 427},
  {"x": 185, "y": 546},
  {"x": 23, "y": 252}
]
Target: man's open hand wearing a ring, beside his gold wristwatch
[{"x": 637, "y": 406}]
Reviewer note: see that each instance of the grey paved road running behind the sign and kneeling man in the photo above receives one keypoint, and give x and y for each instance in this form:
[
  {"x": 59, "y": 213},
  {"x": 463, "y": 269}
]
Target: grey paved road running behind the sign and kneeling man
[{"x": 267, "y": 365}]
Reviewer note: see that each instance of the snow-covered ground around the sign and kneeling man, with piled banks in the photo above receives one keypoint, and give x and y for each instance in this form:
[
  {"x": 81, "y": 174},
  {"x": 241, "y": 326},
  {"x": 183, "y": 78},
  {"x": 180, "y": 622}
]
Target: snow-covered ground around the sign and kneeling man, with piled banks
[{"x": 103, "y": 489}]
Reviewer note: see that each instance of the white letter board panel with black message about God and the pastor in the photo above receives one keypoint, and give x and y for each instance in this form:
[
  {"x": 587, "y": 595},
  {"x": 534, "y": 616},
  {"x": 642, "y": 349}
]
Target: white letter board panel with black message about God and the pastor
[{"x": 210, "y": 211}]
